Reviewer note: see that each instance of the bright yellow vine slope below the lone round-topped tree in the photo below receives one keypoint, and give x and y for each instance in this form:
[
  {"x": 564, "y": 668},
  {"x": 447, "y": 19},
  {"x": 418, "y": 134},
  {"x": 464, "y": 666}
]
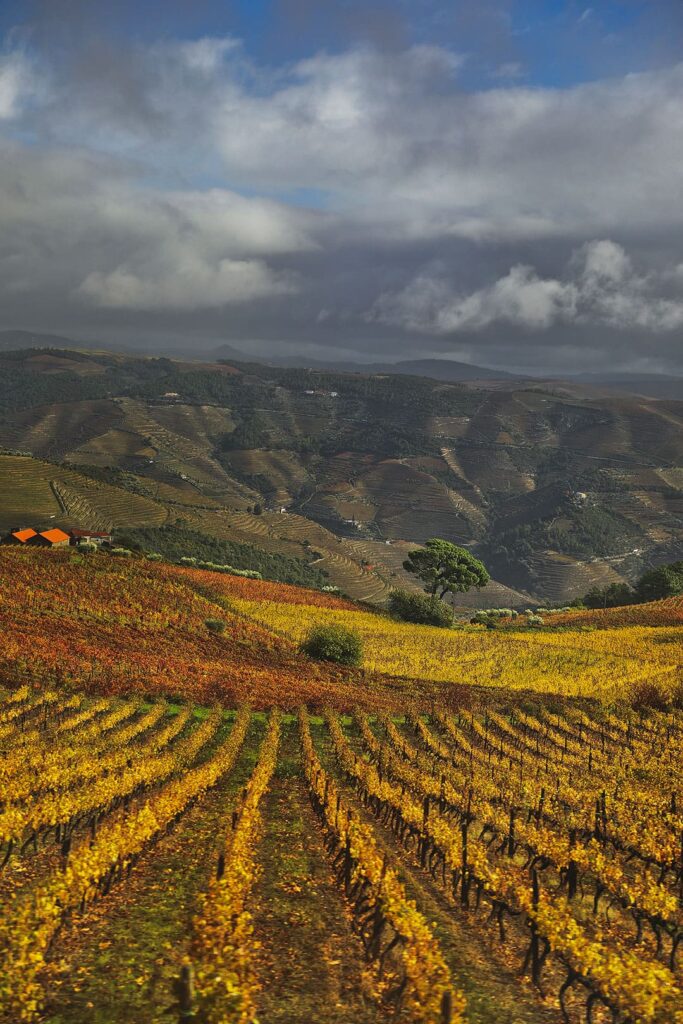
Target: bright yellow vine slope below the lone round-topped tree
[{"x": 570, "y": 663}]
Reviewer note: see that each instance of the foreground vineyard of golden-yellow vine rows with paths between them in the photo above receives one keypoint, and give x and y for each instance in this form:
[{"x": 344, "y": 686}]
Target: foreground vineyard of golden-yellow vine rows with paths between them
[{"x": 506, "y": 863}]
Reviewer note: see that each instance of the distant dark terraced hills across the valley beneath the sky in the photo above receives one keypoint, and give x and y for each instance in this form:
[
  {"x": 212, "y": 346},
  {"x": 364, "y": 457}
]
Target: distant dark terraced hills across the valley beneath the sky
[{"x": 558, "y": 487}]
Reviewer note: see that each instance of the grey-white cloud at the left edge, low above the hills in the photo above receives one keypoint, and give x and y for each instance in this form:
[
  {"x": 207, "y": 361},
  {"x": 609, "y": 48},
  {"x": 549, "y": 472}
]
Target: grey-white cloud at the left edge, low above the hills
[{"x": 88, "y": 228}]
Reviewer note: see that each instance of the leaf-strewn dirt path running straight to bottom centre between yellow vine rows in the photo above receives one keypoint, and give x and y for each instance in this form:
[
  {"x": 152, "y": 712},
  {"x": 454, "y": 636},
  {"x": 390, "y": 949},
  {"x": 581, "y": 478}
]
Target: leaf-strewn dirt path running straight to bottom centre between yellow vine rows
[{"x": 312, "y": 965}]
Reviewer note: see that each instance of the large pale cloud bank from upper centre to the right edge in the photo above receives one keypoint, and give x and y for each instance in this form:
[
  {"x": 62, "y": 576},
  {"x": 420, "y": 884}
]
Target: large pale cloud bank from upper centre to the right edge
[{"x": 396, "y": 134}]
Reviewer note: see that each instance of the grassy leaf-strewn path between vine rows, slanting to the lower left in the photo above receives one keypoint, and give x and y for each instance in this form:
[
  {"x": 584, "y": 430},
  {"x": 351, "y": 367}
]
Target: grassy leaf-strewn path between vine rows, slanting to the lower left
[{"x": 118, "y": 963}]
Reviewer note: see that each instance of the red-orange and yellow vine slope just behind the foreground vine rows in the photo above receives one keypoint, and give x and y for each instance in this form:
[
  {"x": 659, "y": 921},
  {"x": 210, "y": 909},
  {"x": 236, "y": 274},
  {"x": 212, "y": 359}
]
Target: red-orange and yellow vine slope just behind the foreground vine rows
[{"x": 131, "y": 626}]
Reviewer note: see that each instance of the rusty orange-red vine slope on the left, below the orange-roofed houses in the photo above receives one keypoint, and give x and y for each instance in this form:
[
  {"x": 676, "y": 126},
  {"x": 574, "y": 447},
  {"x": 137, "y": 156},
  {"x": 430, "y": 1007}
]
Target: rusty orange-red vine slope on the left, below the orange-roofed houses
[{"x": 135, "y": 628}]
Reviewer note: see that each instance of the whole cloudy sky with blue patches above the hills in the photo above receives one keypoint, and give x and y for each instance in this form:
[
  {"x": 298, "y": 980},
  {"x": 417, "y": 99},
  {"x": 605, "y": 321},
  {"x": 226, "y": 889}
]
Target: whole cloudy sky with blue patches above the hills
[{"x": 498, "y": 183}]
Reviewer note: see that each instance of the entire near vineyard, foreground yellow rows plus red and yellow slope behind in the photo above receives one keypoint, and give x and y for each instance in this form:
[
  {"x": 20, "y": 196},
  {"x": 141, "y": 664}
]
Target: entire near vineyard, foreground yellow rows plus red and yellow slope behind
[{"x": 175, "y": 839}]
